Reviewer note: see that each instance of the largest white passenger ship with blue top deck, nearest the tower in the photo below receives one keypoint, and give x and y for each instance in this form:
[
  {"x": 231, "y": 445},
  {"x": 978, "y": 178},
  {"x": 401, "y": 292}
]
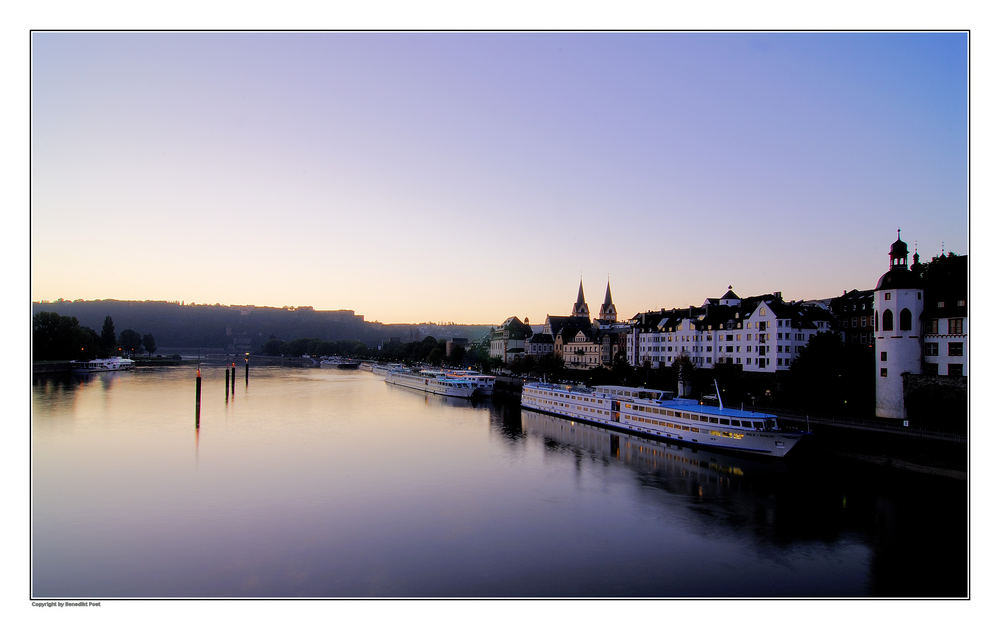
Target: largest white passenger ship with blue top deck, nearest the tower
[{"x": 657, "y": 413}]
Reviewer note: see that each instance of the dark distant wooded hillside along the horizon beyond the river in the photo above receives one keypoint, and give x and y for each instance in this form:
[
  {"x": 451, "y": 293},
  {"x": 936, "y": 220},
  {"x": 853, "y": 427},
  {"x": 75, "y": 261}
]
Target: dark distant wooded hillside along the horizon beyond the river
[{"x": 244, "y": 328}]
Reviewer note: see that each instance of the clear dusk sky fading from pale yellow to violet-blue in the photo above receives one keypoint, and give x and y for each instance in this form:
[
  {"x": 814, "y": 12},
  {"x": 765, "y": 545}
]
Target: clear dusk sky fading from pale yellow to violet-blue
[{"x": 467, "y": 177}]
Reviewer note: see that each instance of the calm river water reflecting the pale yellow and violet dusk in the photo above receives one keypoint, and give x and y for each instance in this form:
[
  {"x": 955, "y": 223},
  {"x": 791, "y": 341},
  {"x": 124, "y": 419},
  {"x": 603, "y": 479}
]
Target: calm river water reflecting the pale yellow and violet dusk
[{"x": 330, "y": 483}]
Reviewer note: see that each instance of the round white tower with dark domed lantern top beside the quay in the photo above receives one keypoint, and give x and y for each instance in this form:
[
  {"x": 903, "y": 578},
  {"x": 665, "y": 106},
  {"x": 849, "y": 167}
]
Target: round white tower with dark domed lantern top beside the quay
[{"x": 899, "y": 304}]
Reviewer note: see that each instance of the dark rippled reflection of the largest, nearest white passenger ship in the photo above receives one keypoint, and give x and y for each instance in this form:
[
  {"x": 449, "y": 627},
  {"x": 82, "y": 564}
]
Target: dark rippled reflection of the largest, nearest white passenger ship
[{"x": 665, "y": 460}]
